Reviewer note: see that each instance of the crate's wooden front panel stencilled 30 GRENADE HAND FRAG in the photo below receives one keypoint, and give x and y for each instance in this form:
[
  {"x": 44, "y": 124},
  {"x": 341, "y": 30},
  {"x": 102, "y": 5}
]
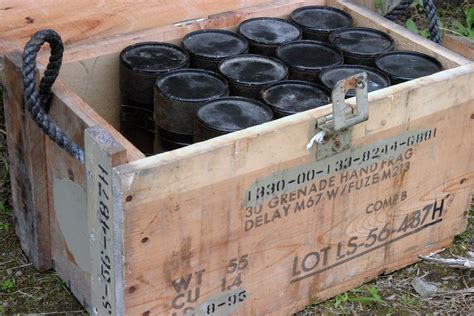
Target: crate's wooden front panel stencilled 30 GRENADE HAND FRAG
[{"x": 190, "y": 219}]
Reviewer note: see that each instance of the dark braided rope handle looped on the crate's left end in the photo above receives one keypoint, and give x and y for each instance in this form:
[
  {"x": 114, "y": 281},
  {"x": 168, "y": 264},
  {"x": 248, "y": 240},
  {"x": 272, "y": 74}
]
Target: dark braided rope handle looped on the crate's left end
[{"x": 38, "y": 102}]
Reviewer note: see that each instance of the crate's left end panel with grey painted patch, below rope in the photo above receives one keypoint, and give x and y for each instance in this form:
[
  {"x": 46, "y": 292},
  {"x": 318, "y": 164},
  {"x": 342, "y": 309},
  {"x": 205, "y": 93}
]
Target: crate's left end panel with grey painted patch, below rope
[{"x": 68, "y": 217}]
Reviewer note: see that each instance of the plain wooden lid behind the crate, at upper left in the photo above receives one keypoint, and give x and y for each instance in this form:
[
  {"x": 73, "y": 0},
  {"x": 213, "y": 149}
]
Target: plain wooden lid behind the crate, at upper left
[{"x": 77, "y": 21}]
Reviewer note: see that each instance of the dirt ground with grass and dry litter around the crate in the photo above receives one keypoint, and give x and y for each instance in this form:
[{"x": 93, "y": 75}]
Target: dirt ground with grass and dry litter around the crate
[{"x": 24, "y": 290}]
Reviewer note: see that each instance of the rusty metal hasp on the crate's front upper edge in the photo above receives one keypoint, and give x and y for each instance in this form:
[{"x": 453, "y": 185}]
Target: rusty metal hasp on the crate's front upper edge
[{"x": 335, "y": 128}]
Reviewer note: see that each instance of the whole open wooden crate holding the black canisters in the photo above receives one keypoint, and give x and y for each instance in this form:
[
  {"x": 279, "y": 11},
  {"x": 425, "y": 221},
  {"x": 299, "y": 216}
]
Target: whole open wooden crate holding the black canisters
[{"x": 184, "y": 230}]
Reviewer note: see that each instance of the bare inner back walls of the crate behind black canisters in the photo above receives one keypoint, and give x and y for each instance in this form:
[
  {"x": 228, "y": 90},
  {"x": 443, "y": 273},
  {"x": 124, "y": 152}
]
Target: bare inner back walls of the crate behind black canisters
[{"x": 96, "y": 79}]
